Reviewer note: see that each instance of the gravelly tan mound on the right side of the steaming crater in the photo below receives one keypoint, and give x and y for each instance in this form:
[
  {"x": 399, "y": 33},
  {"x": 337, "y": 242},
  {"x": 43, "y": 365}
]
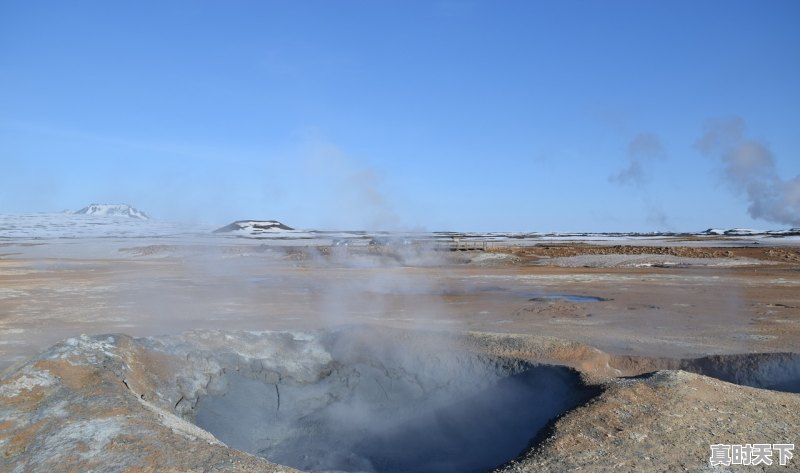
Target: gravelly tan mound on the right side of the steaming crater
[{"x": 665, "y": 421}]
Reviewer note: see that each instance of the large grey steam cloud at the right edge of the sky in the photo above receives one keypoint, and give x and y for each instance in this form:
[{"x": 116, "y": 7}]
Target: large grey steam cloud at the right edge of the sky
[{"x": 749, "y": 168}]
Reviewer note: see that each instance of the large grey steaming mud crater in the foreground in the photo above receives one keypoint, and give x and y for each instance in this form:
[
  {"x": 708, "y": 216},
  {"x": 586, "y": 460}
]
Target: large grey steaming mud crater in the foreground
[{"x": 353, "y": 401}]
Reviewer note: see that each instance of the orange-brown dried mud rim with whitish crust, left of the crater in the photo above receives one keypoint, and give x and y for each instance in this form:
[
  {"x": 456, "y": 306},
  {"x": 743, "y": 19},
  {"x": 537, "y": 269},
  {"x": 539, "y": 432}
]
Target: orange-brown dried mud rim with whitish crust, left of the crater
[{"x": 87, "y": 405}]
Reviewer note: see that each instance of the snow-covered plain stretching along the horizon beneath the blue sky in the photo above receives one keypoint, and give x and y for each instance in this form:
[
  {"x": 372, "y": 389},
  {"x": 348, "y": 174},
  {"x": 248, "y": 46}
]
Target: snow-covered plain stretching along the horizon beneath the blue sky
[{"x": 64, "y": 227}]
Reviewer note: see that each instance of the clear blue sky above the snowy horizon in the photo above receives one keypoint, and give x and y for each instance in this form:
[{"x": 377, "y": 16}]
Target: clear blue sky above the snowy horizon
[{"x": 438, "y": 115}]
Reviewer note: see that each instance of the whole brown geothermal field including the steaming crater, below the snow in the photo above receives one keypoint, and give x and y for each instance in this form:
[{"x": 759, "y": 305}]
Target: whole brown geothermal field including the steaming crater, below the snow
[{"x": 439, "y": 362}]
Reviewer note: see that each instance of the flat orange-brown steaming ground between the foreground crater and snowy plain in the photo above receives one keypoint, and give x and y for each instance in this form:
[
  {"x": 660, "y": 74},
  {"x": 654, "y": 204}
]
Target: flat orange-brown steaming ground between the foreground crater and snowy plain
[{"x": 736, "y": 306}]
